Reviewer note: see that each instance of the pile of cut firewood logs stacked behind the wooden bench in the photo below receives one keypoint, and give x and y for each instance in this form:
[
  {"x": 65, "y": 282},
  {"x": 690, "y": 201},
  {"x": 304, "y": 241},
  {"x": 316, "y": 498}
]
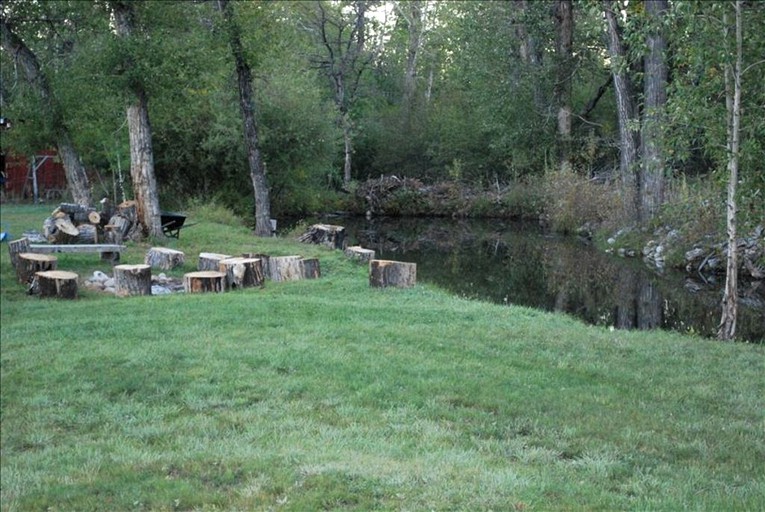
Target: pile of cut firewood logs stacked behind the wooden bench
[{"x": 77, "y": 224}]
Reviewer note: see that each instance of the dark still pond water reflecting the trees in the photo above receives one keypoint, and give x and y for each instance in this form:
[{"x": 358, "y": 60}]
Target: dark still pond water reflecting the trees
[{"x": 510, "y": 262}]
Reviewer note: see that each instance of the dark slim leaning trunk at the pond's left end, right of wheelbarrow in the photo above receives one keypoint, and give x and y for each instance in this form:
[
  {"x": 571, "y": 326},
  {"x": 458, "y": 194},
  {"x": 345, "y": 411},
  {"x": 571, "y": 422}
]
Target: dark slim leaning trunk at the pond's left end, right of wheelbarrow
[{"x": 247, "y": 107}]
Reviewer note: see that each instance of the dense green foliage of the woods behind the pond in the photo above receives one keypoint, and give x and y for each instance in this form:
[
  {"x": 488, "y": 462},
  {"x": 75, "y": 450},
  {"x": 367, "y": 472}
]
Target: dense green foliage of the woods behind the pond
[{"x": 466, "y": 92}]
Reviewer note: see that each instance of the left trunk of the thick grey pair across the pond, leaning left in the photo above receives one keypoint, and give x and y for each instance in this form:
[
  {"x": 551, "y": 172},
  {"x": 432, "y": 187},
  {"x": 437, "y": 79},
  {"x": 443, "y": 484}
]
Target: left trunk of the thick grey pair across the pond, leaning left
[{"x": 626, "y": 111}]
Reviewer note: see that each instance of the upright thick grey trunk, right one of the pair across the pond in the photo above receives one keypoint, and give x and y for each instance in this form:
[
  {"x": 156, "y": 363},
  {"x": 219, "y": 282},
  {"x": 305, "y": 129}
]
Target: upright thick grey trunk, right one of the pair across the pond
[{"x": 655, "y": 92}]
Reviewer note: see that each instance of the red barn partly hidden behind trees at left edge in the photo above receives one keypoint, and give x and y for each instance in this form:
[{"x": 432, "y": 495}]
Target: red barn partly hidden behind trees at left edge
[{"x": 51, "y": 179}]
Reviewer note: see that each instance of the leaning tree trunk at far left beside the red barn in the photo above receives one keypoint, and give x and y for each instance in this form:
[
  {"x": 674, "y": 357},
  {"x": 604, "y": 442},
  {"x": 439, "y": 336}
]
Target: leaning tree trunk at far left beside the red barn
[{"x": 77, "y": 178}]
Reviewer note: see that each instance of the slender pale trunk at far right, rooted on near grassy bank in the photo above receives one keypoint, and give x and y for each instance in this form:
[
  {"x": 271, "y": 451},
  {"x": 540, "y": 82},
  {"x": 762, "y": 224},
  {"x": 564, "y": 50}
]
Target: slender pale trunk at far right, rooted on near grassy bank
[{"x": 727, "y": 329}]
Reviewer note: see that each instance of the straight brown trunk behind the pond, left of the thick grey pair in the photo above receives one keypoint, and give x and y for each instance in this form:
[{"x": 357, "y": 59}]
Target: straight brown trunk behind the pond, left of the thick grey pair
[{"x": 565, "y": 69}]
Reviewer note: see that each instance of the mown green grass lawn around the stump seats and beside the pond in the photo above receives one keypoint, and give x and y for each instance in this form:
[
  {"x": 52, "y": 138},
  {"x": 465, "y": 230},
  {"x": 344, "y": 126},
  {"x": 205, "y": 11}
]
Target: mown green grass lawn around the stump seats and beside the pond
[{"x": 330, "y": 395}]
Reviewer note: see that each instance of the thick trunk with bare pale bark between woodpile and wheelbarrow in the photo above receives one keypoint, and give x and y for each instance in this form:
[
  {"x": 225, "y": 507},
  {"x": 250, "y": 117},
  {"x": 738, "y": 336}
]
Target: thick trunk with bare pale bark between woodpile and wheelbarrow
[{"x": 139, "y": 128}]
